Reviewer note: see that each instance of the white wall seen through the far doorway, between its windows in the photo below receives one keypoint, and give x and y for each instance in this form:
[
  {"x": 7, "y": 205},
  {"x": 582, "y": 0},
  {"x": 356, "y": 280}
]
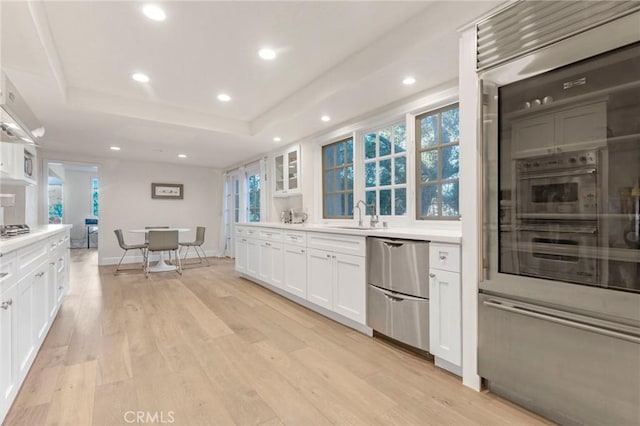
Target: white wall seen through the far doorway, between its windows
[{"x": 77, "y": 203}]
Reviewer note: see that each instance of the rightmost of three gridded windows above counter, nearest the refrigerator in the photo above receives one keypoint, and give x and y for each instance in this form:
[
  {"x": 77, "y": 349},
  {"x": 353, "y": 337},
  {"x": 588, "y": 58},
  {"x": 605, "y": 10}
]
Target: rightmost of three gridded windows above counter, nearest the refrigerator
[{"x": 438, "y": 161}]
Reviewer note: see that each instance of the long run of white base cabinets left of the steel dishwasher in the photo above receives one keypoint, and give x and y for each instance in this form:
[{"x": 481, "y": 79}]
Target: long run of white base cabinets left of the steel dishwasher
[{"x": 329, "y": 273}]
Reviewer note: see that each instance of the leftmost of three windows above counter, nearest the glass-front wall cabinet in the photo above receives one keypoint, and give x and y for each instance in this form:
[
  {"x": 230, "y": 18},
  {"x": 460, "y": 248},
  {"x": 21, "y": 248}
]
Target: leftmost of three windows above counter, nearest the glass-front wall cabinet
[{"x": 337, "y": 180}]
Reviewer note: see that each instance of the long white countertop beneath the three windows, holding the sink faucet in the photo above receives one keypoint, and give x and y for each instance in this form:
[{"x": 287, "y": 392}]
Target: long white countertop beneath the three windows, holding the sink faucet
[{"x": 437, "y": 235}]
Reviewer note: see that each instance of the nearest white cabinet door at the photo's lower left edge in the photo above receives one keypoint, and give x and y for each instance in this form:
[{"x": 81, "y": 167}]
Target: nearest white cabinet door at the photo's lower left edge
[{"x": 8, "y": 365}]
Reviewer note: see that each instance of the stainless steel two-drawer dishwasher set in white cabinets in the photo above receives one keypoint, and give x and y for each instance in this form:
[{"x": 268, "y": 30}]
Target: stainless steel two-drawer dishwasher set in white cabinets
[{"x": 398, "y": 289}]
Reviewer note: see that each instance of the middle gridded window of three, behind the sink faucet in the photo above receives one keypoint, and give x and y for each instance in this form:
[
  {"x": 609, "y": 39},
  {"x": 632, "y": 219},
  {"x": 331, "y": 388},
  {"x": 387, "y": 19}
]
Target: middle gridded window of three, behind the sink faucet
[{"x": 385, "y": 168}]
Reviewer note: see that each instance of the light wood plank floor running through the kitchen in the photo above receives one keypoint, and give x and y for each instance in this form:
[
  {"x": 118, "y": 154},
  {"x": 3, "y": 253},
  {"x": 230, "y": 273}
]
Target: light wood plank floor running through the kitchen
[{"x": 209, "y": 348}]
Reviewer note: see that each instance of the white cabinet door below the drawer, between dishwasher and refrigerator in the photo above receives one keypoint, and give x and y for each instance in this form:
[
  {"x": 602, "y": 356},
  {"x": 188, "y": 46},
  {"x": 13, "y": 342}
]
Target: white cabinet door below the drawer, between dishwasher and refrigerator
[{"x": 445, "y": 330}]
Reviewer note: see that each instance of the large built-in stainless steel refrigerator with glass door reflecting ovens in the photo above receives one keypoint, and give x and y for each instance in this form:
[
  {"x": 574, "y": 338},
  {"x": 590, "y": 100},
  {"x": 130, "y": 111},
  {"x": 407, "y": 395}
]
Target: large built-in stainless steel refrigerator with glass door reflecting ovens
[{"x": 559, "y": 302}]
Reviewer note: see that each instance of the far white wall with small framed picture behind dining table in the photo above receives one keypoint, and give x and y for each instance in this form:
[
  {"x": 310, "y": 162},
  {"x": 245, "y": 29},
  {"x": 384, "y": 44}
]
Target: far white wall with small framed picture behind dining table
[{"x": 126, "y": 203}]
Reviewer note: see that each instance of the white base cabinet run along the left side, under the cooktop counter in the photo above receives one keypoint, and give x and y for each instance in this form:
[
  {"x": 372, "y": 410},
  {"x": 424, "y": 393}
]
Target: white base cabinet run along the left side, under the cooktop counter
[{"x": 33, "y": 281}]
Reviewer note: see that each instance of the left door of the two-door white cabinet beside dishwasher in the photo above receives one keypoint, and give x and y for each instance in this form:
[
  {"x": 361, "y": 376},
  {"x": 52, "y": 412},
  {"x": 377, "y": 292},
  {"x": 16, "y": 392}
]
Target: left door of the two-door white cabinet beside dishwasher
[{"x": 319, "y": 277}]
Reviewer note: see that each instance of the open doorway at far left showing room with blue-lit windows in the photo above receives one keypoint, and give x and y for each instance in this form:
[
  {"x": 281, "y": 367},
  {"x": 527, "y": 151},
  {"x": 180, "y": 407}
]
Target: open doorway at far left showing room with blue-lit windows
[{"x": 73, "y": 198}]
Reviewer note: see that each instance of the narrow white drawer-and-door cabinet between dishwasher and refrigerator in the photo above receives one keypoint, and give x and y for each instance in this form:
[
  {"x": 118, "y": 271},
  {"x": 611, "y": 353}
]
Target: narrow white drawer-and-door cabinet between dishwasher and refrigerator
[{"x": 445, "y": 300}]
